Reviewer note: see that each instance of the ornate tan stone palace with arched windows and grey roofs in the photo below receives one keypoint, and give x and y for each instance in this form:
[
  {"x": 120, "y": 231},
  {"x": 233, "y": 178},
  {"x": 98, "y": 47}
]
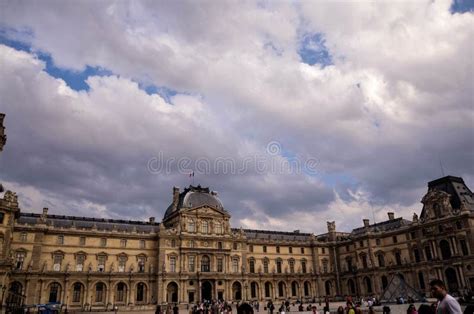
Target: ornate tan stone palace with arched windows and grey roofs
[{"x": 194, "y": 254}]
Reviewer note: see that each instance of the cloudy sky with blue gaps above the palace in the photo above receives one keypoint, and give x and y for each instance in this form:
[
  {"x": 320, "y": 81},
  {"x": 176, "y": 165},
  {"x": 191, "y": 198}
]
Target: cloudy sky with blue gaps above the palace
[{"x": 295, "y": 112}]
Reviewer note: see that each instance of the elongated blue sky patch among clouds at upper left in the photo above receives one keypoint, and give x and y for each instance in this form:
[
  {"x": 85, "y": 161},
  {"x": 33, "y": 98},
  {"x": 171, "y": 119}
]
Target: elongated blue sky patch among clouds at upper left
[{"x": 76, "y": 80}]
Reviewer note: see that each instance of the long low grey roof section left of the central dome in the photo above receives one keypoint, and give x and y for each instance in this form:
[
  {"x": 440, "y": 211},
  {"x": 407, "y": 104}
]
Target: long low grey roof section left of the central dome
[{"x": 60, "y": 221}]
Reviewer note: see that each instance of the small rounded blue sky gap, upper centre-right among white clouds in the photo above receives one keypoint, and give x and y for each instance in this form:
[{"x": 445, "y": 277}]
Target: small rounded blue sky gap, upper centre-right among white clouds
[{"x": 313, "y": 50}]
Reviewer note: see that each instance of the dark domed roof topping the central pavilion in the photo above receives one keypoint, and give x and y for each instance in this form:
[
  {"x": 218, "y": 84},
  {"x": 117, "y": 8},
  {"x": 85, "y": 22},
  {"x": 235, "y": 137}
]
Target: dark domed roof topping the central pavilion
[{"x": 192, "y": 197}]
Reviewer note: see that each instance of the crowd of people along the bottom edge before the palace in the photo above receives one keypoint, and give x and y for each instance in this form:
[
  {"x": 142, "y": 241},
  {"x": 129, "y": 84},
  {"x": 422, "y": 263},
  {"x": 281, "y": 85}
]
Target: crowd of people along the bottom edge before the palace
[{"x": 445, "y": 304}]
